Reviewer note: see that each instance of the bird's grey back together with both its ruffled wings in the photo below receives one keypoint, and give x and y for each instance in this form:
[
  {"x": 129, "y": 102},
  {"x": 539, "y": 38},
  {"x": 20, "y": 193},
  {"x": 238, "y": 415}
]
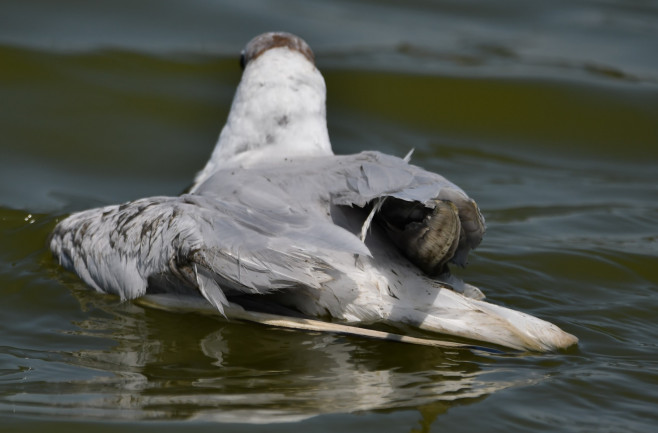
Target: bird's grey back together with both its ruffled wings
[{"x": 247, "y": 231}]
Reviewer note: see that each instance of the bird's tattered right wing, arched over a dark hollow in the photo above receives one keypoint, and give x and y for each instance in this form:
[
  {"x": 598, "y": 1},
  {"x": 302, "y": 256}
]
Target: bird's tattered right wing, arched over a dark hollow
[{"x": 312, "y": 184}]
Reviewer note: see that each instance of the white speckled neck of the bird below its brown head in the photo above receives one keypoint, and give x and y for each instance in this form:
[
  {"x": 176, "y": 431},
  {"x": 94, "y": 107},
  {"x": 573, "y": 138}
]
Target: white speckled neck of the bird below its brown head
[{"x": 278, "y": 113}]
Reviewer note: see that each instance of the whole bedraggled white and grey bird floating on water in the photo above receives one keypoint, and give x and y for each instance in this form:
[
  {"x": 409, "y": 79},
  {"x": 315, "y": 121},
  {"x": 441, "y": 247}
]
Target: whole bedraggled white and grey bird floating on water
[{"x": 278, "y": 229}]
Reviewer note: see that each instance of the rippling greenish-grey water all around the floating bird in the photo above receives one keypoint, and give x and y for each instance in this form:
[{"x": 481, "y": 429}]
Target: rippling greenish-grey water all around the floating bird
[{"x": 545, "y": 112}]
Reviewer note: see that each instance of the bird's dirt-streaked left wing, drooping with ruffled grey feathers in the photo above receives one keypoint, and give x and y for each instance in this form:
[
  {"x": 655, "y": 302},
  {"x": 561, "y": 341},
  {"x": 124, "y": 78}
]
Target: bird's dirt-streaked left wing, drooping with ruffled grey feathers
[{"x": 196, "y": 242}]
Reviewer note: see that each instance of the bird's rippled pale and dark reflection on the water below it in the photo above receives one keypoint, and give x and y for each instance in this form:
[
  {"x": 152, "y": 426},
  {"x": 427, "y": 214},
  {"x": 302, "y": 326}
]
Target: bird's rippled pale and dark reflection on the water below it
[{"x": 180, "y": 366}]
